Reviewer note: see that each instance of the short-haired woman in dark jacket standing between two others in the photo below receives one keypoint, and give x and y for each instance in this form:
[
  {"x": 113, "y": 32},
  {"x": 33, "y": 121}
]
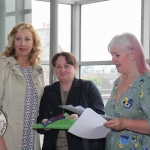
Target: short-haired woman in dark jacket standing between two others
[{"x": 68, "y": 90}]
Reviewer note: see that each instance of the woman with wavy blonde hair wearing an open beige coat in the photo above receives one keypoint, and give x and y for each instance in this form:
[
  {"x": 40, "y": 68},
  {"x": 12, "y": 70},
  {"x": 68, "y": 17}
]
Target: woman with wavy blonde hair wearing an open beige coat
[{"x": 22, "y": 84}]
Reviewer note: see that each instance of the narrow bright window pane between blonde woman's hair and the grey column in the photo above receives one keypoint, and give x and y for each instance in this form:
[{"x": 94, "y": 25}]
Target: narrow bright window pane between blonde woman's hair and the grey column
[{"x": 41, "y": 22}]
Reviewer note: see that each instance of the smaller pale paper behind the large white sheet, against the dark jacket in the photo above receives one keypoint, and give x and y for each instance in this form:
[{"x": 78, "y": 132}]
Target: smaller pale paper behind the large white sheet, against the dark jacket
[{"x": 78, "y": 109}]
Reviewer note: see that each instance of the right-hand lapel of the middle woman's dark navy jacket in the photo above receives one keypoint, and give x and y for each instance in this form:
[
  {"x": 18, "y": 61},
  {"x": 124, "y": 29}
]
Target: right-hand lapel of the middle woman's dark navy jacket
[{"x": 74, "y": 92}]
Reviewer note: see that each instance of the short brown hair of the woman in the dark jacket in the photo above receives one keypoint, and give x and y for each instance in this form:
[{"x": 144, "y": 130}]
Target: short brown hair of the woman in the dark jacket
[{"x": 69, "y": 57}]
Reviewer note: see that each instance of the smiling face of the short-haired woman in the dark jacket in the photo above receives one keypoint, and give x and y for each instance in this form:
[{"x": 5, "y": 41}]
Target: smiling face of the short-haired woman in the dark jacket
[{"x": 64, "y": 71}]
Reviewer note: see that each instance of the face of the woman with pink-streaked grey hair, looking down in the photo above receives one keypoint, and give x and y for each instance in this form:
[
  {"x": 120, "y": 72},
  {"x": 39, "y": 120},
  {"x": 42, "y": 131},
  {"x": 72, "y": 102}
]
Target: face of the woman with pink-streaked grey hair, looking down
[{"x": 123, "y": 60}]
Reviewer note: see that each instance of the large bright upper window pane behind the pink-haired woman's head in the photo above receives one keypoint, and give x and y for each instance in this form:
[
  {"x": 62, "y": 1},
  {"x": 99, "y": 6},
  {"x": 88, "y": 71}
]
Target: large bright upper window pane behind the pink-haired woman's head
[{"x": 103, "y": 20}]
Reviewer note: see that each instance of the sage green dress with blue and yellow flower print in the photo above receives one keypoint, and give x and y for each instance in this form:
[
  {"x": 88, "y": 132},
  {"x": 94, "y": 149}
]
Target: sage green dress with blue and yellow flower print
[{"x": 133, "y": 104}]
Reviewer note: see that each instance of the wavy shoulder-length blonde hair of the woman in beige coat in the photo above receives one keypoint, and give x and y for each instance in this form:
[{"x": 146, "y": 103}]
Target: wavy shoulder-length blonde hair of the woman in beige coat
[{"x": 36, "y": 50}]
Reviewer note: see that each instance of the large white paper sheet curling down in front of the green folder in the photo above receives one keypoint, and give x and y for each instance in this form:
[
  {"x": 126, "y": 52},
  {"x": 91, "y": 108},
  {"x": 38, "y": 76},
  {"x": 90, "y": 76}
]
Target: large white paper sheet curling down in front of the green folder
[{"x": 89, "y": 125}]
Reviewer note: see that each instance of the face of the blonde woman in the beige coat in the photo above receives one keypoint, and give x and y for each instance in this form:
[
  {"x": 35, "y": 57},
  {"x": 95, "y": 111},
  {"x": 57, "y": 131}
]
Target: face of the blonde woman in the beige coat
[{"x": 23, "y": 43}]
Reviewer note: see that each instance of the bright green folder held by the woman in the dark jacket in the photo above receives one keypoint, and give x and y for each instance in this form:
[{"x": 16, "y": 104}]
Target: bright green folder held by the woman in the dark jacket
[{"x": 59, "y": 124}]
